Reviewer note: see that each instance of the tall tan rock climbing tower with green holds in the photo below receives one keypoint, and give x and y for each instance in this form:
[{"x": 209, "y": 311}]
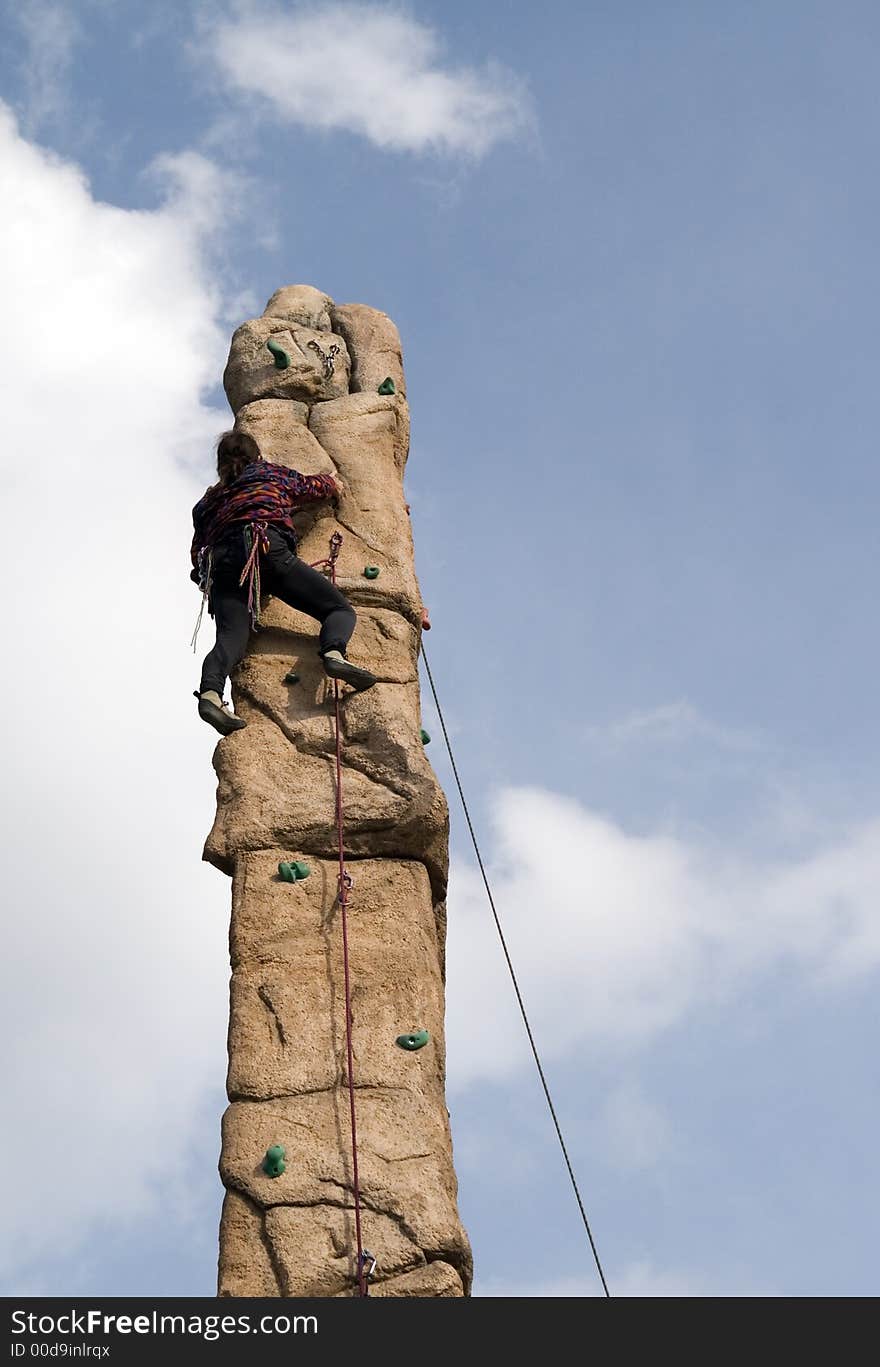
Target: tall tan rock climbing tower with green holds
[{"x": 333, "y": 409}]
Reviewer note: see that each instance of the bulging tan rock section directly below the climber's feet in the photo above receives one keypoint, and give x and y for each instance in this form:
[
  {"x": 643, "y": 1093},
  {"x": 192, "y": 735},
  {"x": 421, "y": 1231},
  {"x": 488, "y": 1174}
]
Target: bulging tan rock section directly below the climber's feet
[{"x": 277, "y": 779}]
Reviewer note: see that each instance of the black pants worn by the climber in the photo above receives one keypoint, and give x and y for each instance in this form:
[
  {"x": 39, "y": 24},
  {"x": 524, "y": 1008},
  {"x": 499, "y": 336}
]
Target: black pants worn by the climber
[{"x": 282, "y": 575}]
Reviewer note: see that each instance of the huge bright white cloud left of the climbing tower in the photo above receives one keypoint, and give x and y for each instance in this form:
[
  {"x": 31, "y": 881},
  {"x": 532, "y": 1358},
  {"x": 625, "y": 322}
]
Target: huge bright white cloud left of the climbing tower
[{"x": 115, "y": 966}]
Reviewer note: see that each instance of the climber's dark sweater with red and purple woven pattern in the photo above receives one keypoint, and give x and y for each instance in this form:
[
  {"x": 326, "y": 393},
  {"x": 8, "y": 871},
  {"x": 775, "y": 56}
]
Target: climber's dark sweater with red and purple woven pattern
[{"x": 263, "y": 493}]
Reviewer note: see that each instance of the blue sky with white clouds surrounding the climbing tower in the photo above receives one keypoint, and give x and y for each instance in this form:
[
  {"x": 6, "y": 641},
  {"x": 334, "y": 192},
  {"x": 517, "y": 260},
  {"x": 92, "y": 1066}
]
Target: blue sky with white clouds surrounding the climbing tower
[{"x": 632, "y": 254}]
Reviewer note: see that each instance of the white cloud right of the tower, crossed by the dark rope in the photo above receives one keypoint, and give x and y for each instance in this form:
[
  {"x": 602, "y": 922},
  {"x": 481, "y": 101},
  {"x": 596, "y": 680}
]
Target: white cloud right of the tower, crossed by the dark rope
[{"x": 616, "y": 938}]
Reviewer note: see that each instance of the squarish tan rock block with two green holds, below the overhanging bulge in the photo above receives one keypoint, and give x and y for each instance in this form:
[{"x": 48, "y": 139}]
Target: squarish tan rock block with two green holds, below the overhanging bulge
[{"x": 288, "y": 971}]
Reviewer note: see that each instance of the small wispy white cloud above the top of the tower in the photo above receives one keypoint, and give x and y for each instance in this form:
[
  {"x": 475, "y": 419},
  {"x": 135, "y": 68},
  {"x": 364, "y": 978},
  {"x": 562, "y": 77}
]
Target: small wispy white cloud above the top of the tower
[{"x": 368, "y": 69}]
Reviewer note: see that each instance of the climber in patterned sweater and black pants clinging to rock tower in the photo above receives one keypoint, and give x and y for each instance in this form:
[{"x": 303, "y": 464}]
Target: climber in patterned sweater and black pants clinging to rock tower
[{"x": 245, "y": 545}]
